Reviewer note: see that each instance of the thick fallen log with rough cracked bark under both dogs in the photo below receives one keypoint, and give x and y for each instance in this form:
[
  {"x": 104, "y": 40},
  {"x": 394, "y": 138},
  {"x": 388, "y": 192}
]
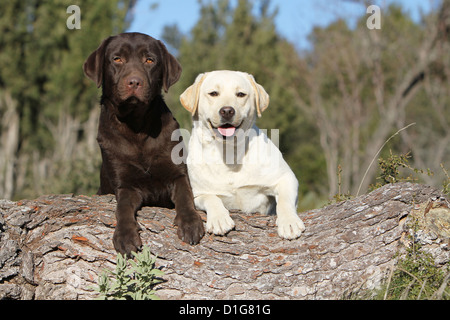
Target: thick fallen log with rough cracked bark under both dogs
[{"x": 56, "y": 246}]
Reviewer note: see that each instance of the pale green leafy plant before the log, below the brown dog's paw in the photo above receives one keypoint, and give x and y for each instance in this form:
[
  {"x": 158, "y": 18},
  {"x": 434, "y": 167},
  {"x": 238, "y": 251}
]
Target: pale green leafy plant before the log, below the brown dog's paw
[{"x": 133, "y": 280}]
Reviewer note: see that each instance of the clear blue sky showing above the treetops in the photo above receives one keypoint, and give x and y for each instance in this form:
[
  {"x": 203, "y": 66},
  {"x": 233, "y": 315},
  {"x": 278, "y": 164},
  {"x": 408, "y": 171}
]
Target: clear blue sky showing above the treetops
[{"x": 295, "y": 20}]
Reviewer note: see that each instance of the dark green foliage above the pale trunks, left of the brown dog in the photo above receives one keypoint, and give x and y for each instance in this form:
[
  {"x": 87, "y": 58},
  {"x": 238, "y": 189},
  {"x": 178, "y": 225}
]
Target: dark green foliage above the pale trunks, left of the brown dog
[{"x": 44, "y": 58}]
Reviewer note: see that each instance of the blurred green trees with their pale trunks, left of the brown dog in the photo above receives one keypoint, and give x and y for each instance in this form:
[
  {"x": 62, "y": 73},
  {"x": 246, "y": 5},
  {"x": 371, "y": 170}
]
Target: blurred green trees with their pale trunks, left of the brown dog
[{"x": 48, "y": 107}]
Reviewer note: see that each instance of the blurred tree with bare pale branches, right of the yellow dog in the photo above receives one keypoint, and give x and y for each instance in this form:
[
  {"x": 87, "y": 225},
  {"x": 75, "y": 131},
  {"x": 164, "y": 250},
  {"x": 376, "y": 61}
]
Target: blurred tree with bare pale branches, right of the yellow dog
[{"x": 360, "y": 86}]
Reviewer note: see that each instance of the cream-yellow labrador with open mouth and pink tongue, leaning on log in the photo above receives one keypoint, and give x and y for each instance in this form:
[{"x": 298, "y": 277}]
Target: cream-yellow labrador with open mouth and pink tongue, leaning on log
[{"x": 232, "y": 164}]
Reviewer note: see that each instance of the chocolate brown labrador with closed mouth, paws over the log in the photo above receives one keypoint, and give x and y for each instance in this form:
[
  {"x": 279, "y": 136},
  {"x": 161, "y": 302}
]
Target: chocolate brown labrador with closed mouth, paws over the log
[{"x": 134, "y": 135}]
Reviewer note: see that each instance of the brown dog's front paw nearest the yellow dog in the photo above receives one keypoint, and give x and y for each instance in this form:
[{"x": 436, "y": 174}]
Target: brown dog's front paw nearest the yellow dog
[{"x": 190, "y": 227}]
